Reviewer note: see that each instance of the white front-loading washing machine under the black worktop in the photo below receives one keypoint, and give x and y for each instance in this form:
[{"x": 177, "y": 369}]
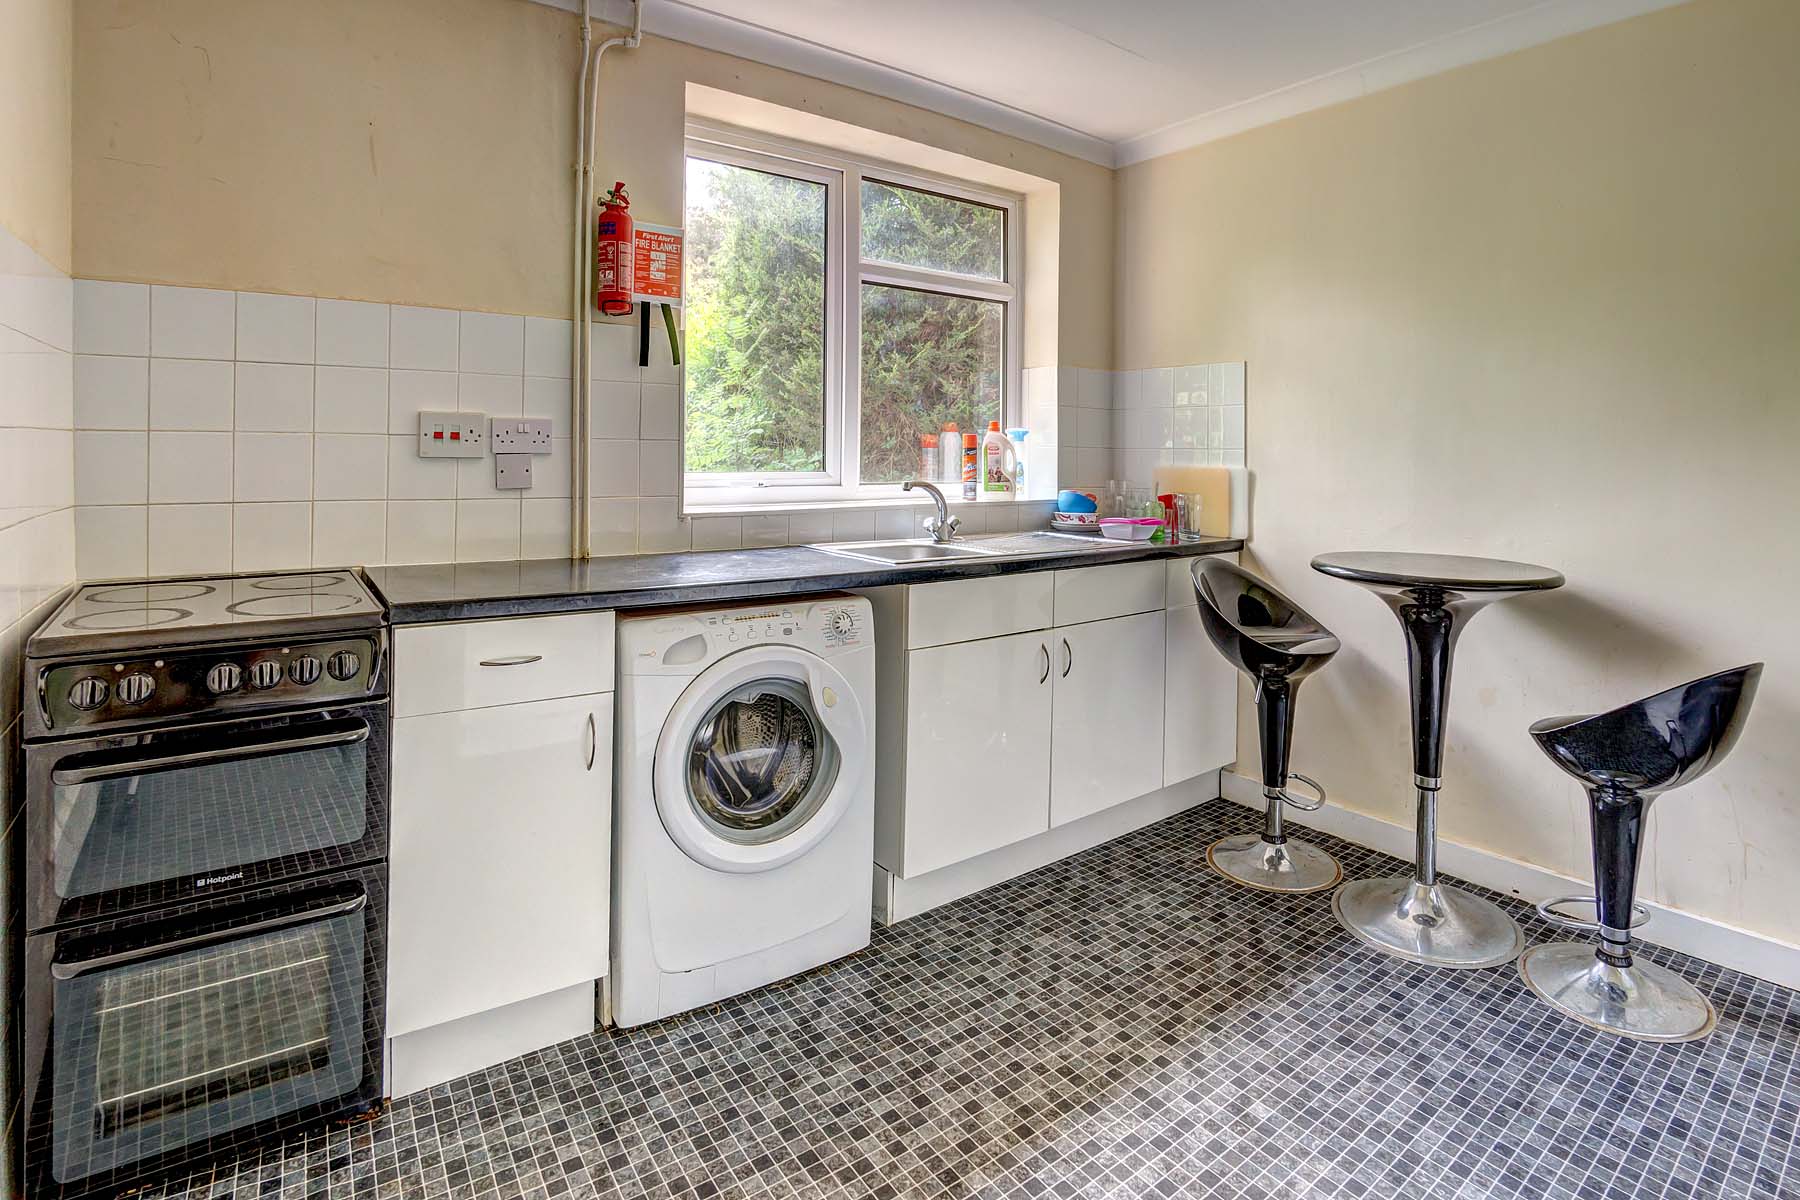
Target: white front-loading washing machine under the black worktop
[{"x": 746, "y": 800}]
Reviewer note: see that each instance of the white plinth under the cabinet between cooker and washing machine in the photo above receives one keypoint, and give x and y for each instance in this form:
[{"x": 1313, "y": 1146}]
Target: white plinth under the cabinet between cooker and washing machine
[{"x": 431, "y": 1057}]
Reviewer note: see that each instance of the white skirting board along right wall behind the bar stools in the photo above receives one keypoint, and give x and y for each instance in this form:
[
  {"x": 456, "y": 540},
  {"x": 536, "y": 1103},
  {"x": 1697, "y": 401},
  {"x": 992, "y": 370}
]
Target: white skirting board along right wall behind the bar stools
[{"x": 1704, "y": 938}]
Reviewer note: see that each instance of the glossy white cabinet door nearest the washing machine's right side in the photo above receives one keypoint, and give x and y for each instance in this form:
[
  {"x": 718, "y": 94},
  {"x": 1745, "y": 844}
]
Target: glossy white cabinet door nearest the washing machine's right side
[{"x": 976, "y": 748}]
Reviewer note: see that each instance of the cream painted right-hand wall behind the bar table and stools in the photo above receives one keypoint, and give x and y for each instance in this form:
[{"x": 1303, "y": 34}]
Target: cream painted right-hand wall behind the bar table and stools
[{"x": 1543, "y": 309}]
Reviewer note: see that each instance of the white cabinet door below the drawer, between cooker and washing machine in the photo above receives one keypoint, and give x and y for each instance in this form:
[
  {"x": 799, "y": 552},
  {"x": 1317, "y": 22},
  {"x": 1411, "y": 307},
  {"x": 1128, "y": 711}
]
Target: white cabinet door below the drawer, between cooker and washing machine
[{"x": 501, "y": 857}]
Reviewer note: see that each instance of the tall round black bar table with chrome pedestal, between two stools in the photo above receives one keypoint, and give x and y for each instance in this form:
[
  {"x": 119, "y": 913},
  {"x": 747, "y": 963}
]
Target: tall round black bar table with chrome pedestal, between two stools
[{"x": 1434, "y": 596}]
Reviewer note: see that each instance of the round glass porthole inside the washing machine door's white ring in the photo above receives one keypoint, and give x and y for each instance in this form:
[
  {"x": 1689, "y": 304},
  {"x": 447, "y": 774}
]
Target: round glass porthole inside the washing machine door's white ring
[{"x": 760, "y": 764}]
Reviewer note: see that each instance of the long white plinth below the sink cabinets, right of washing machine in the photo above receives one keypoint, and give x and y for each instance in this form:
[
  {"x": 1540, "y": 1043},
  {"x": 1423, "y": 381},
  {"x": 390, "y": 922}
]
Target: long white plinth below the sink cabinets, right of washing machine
[{"x": 897, "y": 900}]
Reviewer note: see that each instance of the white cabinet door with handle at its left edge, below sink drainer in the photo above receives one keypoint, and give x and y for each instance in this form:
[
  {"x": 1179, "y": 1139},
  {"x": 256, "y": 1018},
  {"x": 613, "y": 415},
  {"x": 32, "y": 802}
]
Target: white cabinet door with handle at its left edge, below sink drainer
[{"x": 1108, "y": 731}]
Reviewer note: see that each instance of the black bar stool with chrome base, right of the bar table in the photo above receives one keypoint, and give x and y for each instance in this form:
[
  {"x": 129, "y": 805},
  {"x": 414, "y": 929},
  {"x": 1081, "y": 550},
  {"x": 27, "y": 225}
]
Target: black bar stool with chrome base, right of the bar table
[{"x": 1624, "y": 760}]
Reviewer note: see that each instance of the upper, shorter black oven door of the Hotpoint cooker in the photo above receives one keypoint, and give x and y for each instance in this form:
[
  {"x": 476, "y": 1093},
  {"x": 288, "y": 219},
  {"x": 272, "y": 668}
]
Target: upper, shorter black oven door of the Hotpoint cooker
[{"x": 159, "y": 818}]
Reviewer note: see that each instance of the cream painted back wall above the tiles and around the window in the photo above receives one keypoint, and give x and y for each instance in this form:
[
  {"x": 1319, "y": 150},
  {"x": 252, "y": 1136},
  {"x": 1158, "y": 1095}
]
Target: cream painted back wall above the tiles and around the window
[{"x": 325, "y": 150}]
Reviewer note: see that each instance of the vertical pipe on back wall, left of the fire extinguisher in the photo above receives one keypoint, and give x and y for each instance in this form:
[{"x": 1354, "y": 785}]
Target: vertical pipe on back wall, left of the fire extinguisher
[{"x": 582, "y": 345}]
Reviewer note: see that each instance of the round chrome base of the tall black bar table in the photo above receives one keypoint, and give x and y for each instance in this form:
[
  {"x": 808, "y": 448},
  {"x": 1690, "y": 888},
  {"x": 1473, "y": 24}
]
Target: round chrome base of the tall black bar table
[{"x": 1428, "y": 924}]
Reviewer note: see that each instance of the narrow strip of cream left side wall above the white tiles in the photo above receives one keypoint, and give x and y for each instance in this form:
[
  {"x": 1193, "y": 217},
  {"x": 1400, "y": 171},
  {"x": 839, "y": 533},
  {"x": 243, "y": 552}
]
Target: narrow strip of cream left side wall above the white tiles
[{"x": 35, "y": 147}]
